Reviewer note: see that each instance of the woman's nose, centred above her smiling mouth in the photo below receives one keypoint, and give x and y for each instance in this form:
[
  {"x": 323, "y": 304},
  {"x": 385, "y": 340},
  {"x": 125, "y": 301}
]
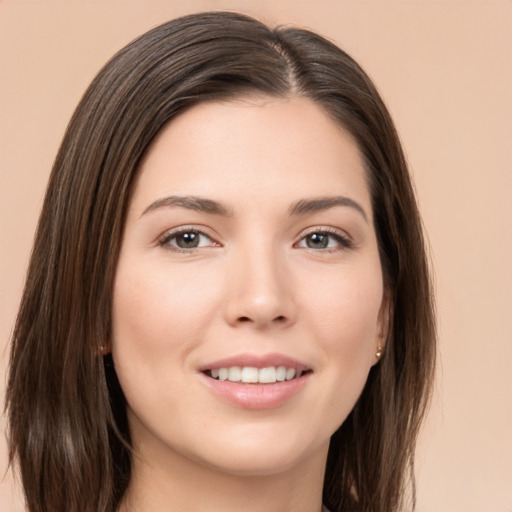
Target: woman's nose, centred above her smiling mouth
[{"x": 260, "y": 290}]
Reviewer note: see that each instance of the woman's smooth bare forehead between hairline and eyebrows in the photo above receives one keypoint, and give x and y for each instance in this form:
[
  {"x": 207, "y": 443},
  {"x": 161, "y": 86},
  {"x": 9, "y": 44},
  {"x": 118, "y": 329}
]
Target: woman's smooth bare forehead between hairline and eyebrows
[{"x": 253, "y": 149}]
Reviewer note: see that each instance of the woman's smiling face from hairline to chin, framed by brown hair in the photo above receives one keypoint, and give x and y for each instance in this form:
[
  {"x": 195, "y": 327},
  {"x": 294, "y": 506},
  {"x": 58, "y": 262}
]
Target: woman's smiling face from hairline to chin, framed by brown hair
[{"x": 249, "y": 256}]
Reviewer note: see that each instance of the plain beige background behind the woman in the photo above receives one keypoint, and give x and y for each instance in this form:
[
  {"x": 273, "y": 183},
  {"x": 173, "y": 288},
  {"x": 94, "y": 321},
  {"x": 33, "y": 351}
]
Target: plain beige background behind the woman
[{"x": 444, "y": 68}]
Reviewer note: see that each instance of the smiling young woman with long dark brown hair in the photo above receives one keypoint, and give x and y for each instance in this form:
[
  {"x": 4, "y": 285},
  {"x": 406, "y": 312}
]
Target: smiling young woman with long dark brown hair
[{"x": 228, "y": 304}]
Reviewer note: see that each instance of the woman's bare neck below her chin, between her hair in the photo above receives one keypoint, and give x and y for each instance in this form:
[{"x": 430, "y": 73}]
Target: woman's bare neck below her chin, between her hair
[{"x": 174, "y": 482}]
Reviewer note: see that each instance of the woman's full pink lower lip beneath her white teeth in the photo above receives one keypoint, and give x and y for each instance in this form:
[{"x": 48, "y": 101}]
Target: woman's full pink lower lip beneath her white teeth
[{"x": 256, "y": 396}]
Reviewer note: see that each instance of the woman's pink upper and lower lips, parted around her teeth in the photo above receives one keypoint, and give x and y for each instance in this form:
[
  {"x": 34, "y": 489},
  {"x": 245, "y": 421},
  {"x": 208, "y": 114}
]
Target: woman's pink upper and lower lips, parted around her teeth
[{"x": 256, "y": 396}]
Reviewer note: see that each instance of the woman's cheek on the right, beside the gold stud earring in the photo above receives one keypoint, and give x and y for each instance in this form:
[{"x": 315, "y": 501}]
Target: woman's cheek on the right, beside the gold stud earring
[{"x": 346, "y": 322}]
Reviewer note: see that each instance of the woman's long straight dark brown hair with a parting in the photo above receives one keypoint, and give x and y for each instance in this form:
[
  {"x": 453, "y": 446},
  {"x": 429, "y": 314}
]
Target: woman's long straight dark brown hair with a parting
[{"x": 66, "y": 411}]
